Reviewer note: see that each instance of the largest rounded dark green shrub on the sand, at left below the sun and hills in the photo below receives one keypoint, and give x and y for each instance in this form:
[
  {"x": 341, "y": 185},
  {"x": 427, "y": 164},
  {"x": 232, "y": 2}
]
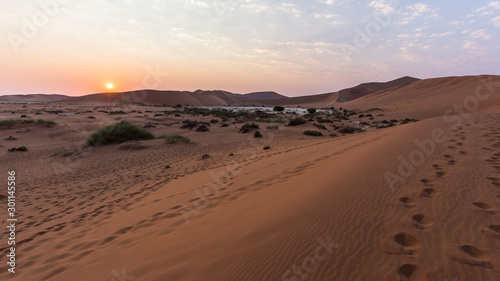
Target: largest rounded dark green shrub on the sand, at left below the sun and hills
[{"x": 118, "y": 133}]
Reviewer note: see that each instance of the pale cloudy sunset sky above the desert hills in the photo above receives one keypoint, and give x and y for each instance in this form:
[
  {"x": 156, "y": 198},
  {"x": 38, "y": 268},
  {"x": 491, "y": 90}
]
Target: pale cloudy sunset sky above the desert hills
[{"x": 295, "y": 48}]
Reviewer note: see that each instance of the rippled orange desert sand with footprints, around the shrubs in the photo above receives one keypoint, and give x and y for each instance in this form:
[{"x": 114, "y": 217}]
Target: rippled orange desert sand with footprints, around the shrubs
[{"x": 417, "y": 201}]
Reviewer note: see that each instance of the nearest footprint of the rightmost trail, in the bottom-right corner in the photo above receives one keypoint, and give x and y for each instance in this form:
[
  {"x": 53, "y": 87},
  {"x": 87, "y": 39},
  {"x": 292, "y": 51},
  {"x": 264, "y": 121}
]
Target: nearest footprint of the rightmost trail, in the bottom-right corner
[{"x": 468, "y": 254}]
